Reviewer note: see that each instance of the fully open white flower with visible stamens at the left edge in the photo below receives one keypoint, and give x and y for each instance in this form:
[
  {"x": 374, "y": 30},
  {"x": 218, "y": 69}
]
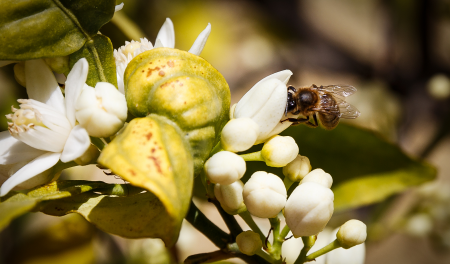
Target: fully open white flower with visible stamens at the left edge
[{"x": 44, "y": 129}]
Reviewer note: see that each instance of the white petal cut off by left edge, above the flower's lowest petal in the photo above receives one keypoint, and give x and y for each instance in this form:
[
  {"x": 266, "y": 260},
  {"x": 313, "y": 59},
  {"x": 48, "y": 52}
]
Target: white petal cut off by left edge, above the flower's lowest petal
[{"x": 14, "y": 151}]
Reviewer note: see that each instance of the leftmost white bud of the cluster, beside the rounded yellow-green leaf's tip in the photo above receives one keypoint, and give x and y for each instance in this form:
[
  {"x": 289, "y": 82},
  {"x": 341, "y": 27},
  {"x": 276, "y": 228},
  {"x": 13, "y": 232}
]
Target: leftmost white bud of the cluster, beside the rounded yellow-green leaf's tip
[{"x": 225, "y": 167}]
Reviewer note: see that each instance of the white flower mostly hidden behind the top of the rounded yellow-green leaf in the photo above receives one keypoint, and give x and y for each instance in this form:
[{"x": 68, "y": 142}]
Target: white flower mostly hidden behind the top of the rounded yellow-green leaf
[{"x": 165, "y": 38}]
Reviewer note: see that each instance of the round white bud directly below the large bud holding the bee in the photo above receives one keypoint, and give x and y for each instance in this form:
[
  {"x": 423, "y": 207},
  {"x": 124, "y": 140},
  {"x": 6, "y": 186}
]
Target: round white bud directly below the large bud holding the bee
[{"x": 239, "y": 134}]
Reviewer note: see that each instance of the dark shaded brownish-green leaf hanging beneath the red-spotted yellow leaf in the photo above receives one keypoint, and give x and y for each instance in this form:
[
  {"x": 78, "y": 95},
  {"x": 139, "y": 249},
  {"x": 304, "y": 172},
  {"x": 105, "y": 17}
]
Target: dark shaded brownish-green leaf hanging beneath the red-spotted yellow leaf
[{"x": 136, "y": 216}]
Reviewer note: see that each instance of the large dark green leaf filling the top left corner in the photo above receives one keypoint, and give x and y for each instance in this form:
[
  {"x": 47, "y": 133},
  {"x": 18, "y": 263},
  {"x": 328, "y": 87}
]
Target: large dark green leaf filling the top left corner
[{"x": 49, "y": 28}]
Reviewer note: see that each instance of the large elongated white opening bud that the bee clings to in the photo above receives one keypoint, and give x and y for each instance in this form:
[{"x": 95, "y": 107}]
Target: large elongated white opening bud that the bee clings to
[{"x": 265, "y": 103}]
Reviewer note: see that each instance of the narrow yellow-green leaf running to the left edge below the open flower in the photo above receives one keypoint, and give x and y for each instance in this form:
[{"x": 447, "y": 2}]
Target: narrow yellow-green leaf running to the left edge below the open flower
[{"x": 16, "y": 204}]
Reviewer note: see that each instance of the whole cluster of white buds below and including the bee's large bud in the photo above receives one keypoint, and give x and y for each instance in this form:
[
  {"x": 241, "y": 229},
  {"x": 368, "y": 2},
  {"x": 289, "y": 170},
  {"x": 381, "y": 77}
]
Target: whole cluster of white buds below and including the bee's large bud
[{"x": 257, "y": 119}]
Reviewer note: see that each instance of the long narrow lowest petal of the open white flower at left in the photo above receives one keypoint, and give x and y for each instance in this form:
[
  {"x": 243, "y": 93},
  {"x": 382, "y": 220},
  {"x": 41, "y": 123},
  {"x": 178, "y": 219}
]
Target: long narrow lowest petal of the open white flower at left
[{"x": 33, "y": 168}]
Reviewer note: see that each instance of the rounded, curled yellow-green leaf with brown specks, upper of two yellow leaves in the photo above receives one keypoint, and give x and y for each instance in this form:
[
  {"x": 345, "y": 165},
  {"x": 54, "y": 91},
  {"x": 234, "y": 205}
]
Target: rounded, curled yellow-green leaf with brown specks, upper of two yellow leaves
[{"x": 184, "y": 88}]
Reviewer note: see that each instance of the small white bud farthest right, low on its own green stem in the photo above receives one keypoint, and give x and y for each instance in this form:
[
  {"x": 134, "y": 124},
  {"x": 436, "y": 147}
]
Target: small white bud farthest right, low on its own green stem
[{"x": 352, "y": 233}]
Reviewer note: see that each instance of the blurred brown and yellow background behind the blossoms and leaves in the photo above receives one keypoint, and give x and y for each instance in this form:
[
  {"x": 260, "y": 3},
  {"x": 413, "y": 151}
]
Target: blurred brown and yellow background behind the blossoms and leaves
[{"x": 397, "y": 54}]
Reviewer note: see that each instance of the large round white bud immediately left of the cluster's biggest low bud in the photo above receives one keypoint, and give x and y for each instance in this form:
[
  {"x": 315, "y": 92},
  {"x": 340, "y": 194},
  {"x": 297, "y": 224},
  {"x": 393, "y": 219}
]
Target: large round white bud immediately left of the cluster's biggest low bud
[{"x": 264, "y": 194}]
